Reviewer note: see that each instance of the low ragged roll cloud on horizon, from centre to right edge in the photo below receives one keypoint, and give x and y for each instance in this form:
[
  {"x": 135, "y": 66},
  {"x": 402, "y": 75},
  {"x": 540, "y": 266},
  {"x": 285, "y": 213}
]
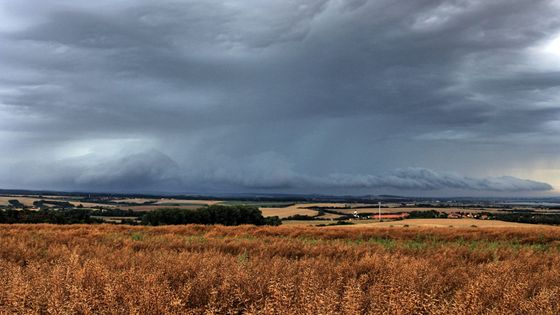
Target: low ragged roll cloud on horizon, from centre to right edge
[{"x": 271, "y": 174}]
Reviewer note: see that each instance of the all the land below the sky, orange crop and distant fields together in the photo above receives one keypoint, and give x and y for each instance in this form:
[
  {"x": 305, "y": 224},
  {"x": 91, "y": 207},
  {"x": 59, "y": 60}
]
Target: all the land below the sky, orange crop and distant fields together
[{"x": 326, "y": 257}]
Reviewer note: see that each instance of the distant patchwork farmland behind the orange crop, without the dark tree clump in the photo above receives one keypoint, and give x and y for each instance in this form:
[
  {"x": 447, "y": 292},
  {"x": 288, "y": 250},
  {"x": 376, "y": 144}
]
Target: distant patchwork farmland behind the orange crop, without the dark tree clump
[{"x": 300, "y": 210}]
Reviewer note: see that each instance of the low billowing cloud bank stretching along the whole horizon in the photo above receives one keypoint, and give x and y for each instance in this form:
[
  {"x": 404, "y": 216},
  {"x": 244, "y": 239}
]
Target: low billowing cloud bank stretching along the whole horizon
[{"x": 153, "y": 170}]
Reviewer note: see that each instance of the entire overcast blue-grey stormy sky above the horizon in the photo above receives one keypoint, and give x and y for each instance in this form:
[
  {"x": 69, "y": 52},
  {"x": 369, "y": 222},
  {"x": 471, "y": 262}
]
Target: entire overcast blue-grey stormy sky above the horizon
[{"x": 420, "y": 97}]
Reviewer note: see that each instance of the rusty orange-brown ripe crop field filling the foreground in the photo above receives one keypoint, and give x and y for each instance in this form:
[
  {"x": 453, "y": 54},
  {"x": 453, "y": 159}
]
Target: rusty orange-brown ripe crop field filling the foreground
[{"x": 278, "y": 270}]
